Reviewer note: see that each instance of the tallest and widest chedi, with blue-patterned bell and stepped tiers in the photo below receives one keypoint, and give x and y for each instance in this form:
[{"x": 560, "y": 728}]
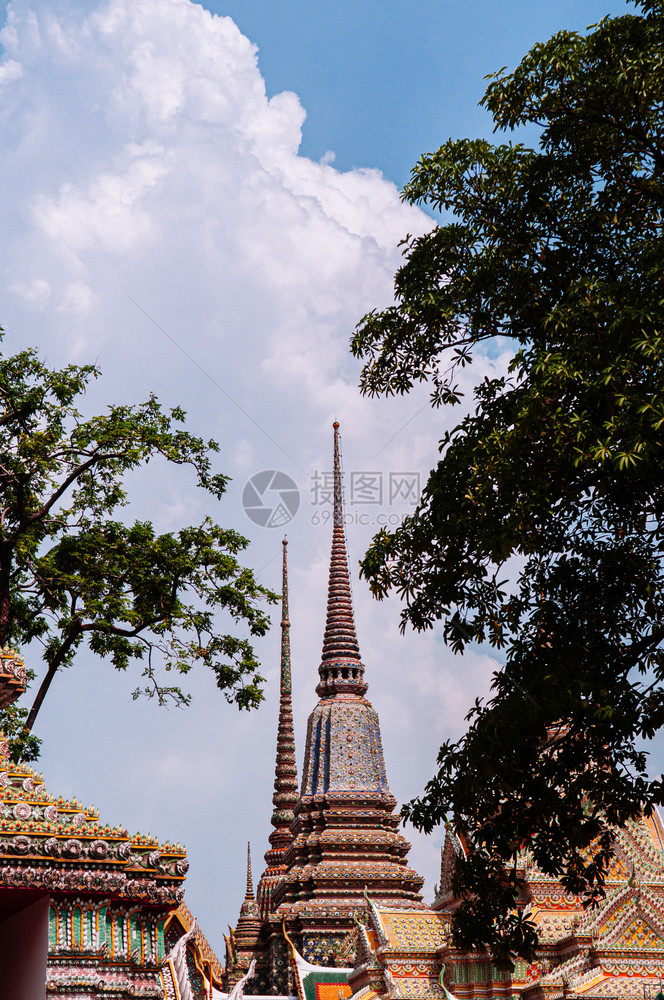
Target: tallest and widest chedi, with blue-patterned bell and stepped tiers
[{"x": 346, "y": 837}]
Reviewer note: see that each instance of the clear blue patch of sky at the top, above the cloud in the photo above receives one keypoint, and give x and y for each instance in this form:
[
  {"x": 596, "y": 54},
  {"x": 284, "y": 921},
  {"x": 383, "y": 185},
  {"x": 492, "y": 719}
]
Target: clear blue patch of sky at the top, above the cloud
[{"x": 383, "y": 81}]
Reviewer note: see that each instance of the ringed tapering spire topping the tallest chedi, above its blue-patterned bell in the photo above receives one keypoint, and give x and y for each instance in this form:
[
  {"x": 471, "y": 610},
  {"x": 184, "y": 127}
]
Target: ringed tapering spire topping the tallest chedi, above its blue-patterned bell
[{"x": 341, "y": 670}]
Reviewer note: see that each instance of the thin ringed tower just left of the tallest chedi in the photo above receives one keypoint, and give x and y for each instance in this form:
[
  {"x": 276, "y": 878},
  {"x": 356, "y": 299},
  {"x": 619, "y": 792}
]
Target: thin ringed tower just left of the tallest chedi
[{"x": 285, "y": 795}]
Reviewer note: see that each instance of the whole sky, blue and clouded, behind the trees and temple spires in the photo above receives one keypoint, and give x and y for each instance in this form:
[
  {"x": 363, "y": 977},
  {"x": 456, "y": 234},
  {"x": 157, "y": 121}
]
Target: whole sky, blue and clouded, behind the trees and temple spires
[{"x": 204, "y": 201}]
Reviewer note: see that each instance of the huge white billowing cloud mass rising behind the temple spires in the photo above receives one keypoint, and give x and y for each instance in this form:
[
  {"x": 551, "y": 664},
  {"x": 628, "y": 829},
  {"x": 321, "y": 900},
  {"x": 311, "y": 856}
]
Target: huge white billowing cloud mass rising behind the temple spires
[{"x": 159, "y": 219}]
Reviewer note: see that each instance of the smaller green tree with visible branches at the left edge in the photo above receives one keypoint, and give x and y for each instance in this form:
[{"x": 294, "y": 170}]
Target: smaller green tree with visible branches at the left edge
[{"x": 72, "y": 575}]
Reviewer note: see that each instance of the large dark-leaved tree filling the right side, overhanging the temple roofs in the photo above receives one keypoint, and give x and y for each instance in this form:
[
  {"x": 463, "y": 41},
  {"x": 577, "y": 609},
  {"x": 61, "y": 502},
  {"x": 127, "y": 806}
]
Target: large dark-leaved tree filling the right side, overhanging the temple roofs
[{"x": 540, "y": 530}]
